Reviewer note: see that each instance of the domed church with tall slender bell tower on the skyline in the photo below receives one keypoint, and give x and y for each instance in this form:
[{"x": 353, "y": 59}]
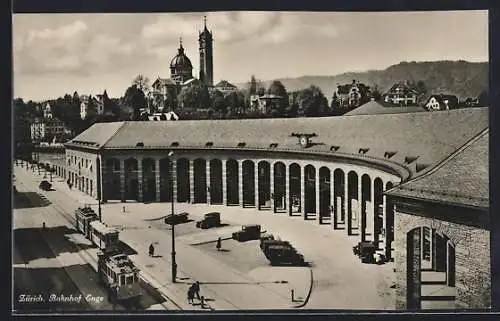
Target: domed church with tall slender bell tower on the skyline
[{"x": 165, "y": 90}]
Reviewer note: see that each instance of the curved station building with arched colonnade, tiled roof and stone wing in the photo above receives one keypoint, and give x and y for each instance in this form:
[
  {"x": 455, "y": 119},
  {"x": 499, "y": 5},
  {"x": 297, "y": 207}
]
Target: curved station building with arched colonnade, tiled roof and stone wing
[{"x": 352, "y": 172}]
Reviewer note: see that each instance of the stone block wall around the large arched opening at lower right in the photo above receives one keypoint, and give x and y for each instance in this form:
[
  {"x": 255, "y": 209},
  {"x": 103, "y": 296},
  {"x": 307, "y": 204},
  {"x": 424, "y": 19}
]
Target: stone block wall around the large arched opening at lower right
[{"x": 472, "y": 248}]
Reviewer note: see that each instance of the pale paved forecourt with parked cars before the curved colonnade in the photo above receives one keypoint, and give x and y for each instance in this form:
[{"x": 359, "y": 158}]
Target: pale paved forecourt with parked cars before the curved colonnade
[{"x": 240, "y": 277}]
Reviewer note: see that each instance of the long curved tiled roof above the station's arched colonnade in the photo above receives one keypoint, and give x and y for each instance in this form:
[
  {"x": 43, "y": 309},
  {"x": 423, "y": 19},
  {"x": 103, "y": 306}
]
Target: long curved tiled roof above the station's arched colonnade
[{"x": 430, "y": 137}]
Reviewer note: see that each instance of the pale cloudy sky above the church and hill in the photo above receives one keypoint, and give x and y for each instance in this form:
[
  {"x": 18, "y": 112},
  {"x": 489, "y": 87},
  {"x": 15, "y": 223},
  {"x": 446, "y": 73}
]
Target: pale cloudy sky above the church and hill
[{"x": 55, "y": 54}]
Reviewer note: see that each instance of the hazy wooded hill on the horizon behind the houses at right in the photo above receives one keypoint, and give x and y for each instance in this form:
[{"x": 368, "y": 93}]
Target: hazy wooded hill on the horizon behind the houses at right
[{"x": 461, "y": 78}]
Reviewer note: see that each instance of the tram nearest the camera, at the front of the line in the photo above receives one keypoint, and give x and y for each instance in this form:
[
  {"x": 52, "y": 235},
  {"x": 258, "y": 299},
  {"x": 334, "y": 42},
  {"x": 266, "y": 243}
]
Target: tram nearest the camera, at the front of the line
[{"x": 117, "y": 272}]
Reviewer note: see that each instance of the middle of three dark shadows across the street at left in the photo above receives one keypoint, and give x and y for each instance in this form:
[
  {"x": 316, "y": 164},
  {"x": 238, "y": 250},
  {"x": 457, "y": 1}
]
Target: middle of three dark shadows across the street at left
[{"x": 26, "y": 238}]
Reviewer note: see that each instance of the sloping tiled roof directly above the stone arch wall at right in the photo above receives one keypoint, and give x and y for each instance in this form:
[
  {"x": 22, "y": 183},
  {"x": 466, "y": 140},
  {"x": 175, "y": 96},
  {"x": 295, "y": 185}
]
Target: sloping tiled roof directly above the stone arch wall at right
[{"x": 461, "y": 179}]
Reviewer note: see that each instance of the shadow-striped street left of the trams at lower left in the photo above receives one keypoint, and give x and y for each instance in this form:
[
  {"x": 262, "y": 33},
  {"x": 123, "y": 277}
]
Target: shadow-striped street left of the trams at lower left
[{"x": 51, "y": 272}]
